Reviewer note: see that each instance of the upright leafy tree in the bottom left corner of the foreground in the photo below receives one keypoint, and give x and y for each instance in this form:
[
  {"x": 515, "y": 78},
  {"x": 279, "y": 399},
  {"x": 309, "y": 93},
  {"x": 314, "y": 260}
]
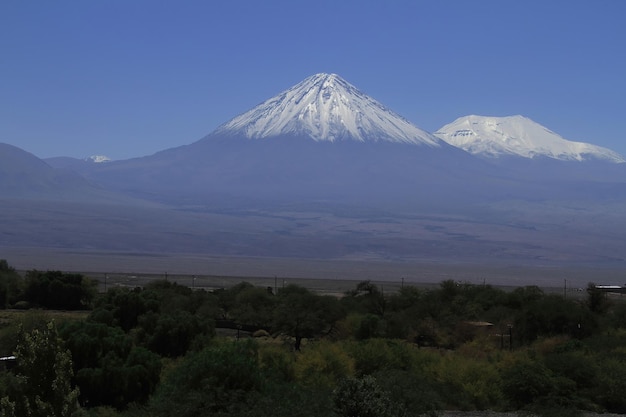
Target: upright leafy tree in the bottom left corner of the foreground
[{"x": 43, "y": 386}]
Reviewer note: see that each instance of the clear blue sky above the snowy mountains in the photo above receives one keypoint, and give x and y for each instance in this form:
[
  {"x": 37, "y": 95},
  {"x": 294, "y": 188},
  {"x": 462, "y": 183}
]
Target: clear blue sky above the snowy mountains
[{"x": 128, "y": 78}]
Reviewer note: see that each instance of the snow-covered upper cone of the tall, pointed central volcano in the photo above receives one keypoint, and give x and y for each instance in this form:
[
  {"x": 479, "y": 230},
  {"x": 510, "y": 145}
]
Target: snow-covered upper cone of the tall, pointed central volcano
[{"x": 325, "y": 107}]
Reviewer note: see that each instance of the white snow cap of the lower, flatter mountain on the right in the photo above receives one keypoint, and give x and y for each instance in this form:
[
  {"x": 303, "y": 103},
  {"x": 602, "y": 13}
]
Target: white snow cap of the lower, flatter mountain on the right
[{"x": 518, "y": 135}]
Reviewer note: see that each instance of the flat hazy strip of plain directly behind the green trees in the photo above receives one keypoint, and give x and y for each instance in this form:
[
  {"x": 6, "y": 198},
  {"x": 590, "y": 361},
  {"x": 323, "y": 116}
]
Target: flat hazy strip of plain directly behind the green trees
[{"x": 323, "y": 275}]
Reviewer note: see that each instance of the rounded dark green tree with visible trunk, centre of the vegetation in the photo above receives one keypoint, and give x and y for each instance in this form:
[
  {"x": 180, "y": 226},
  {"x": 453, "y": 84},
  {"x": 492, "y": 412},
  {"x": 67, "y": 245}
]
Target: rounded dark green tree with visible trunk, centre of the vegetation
[{"x": 301, "y": 313}]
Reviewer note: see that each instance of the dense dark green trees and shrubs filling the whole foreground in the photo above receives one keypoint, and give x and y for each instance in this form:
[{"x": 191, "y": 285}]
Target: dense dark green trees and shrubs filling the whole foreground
[{"x": 166, "y": 349}]
